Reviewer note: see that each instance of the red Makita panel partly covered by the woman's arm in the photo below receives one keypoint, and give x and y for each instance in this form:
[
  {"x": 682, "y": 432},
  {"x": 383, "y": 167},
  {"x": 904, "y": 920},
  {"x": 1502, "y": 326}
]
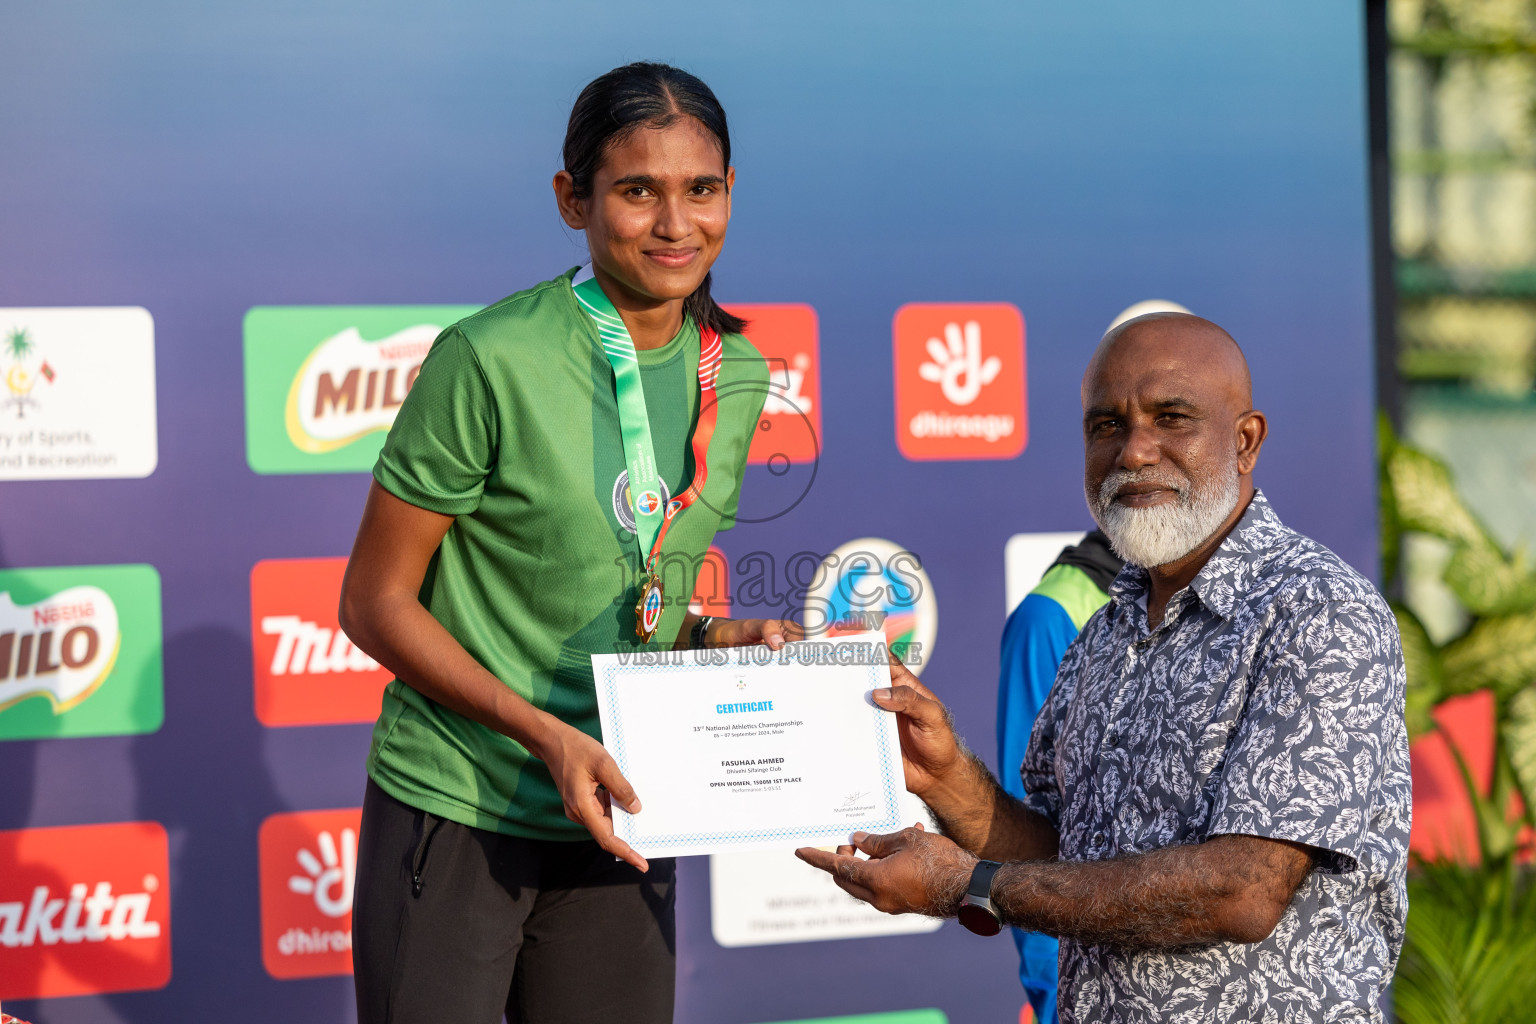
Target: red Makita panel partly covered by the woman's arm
[{"x": 308, "y": 670}]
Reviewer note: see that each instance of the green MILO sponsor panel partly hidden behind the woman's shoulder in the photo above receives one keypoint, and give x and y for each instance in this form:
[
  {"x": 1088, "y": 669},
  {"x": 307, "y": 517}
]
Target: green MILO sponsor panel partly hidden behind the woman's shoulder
[{"x": 325, "y": 383}]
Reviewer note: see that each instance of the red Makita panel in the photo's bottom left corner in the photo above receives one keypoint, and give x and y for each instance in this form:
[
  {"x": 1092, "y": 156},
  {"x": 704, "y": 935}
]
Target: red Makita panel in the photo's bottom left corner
[{"x": 84, "y": 910}]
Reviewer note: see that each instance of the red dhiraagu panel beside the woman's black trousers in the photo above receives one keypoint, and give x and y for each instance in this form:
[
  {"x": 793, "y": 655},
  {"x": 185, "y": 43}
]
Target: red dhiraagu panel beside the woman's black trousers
[{"x": 310, "y": 862}]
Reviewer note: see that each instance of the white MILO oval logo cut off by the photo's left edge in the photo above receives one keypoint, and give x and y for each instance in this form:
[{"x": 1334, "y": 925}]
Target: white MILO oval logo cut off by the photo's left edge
[{"x": 62, "y": 647}]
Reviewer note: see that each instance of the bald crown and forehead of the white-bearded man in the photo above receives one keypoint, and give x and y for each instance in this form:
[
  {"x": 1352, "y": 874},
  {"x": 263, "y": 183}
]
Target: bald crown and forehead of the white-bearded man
[{"x": 1174, "y": 342}]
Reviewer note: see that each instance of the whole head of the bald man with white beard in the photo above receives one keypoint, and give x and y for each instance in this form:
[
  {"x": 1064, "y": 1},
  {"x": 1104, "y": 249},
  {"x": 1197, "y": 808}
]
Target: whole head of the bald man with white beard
[{"x": 1171, "y": 437}]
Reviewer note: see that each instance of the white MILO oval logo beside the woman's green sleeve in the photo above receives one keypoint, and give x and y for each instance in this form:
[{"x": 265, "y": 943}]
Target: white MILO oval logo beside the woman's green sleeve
[{"x": 351, "y": 388}]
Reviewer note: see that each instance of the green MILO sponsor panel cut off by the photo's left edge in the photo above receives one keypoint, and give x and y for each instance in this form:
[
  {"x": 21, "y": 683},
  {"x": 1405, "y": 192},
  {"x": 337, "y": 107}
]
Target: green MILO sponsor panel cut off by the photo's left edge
[{"x": 81, "y": 652}]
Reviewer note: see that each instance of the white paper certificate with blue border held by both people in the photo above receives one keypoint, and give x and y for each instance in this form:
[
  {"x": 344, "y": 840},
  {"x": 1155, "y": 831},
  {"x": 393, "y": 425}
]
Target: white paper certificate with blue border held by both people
[{"x": 749, "y": 748}]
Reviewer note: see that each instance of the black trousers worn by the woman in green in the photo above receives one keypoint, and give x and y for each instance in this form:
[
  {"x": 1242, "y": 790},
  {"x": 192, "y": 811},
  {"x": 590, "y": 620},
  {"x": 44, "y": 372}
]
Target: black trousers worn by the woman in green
[{"x": 457, "y": 927}]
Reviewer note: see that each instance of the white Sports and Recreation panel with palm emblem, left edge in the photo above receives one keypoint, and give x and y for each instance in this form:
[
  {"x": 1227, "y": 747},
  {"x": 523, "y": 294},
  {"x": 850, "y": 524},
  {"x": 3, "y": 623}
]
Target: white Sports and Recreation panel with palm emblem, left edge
[{"x": 78, "y": 394}]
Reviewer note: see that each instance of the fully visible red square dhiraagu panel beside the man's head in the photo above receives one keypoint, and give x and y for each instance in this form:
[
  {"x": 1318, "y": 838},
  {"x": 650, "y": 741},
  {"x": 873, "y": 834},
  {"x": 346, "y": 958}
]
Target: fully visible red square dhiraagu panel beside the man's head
[{"x": 961, "y": 382}]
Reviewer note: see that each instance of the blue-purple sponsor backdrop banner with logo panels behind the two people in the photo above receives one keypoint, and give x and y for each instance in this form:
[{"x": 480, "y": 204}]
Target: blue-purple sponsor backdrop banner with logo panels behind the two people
[{"x": 233, "y": 233}]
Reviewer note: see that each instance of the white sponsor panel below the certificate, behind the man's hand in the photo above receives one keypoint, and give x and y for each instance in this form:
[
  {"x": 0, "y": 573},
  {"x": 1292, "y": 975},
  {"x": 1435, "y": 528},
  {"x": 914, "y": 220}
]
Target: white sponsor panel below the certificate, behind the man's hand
[{"x": 773, "y": 897}]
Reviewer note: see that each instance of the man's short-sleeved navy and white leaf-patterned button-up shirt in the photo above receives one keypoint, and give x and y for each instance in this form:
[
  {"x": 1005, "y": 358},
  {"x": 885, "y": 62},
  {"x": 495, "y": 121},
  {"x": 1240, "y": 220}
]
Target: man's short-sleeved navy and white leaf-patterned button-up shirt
[{"x": 1268, "y": 702}]
